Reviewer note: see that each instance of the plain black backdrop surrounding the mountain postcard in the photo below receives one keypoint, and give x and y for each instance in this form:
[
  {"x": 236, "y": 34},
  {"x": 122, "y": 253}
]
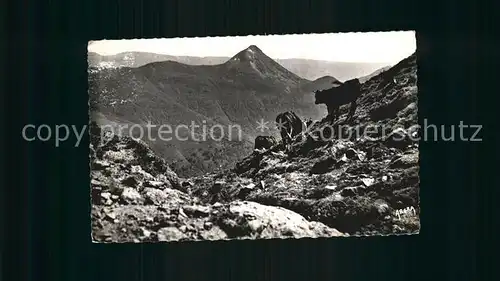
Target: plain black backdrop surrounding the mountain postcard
[{"x": 46, "y": 218}]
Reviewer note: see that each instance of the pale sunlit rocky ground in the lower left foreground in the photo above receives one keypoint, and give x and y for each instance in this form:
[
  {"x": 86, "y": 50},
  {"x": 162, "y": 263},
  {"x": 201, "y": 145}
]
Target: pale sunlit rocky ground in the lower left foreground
[{"x": 136, "y": 197}]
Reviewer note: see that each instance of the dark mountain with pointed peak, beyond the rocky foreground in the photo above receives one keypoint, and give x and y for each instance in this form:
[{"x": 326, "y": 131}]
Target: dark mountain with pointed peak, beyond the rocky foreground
[{"x": 244, "y": 90}]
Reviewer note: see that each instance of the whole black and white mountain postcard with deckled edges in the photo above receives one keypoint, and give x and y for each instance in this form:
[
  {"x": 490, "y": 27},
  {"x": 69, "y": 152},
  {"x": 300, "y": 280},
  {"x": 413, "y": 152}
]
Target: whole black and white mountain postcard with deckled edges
[{"x": 254, "y": 137}]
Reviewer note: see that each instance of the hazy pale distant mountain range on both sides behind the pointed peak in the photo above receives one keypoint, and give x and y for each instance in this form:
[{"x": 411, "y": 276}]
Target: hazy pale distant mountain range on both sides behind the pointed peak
[{"x": 305, "y": 68}]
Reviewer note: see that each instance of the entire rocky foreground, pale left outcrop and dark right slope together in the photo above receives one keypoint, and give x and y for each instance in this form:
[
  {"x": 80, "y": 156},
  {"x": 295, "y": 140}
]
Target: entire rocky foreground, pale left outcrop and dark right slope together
[{"x": 324, "y": 187}]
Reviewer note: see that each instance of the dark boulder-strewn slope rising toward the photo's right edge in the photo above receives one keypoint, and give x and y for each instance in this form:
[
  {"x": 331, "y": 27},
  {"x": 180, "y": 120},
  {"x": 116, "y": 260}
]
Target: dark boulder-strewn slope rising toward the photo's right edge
[{"x": 360, "y": 184}]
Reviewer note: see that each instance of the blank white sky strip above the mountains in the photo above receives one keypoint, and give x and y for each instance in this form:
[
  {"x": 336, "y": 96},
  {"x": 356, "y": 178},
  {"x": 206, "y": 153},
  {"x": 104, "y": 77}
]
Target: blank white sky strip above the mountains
[{"x": 377, "y": 47}]
